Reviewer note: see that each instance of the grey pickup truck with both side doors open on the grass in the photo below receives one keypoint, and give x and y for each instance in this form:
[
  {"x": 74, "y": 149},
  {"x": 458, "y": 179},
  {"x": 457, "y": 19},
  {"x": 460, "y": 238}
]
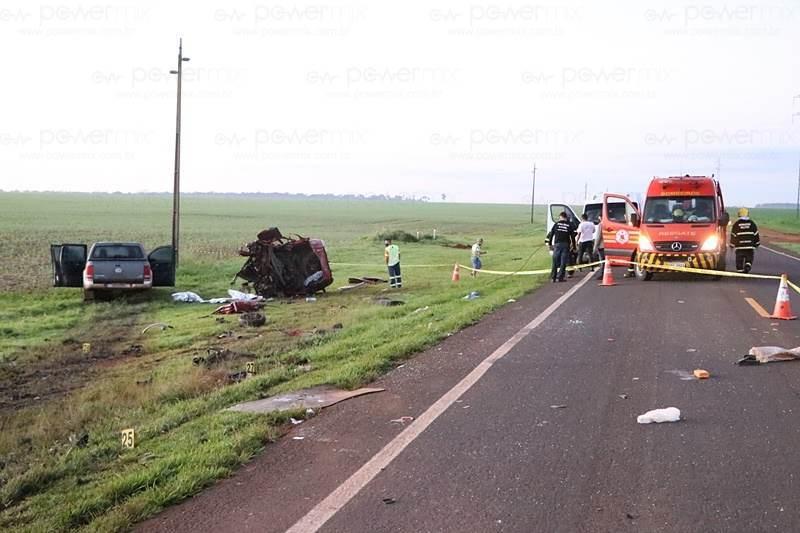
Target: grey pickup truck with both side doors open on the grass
[{"x": 111, "y": 267}]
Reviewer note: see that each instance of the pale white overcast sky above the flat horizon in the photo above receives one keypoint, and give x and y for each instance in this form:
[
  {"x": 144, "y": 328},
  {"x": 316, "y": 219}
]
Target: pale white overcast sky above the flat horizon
[{"x": 418, "y": 98}]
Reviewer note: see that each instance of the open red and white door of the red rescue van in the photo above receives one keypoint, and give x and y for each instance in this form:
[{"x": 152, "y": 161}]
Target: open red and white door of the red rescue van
[{"x": 620, "y": 226}]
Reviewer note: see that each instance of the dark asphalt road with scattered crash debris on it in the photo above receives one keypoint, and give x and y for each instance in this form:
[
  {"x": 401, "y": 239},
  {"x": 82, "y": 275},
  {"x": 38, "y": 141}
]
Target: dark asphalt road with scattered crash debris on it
[{"x": 502, "y": 459}]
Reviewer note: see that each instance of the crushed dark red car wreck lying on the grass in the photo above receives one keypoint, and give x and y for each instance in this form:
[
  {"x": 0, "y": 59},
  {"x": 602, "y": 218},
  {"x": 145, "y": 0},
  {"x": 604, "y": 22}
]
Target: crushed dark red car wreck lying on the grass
[{"x": 280, "y": 266}]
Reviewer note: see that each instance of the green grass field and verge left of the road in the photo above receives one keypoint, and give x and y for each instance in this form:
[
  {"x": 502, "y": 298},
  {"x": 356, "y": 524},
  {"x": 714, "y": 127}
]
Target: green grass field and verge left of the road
[{"x": 54, "y": 396}]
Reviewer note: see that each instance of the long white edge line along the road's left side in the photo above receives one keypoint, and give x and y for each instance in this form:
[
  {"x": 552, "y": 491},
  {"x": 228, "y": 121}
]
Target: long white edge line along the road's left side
[{"x": 337, "y": 499}]
